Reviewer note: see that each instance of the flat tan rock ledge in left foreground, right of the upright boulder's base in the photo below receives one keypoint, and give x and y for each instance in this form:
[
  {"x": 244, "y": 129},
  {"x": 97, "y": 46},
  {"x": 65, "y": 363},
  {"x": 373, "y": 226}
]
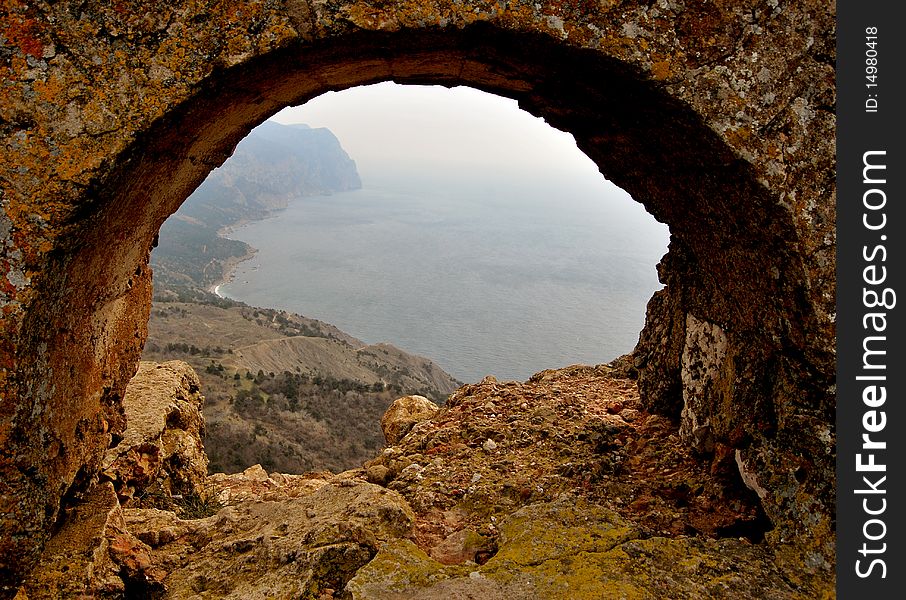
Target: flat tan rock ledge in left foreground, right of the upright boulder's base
[{"x": 299, "y": 547}]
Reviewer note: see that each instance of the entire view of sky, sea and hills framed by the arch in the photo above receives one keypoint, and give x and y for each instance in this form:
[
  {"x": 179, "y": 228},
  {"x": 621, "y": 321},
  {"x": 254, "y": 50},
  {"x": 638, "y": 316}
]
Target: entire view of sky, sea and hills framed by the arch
[{"x": 490, "y": 246}]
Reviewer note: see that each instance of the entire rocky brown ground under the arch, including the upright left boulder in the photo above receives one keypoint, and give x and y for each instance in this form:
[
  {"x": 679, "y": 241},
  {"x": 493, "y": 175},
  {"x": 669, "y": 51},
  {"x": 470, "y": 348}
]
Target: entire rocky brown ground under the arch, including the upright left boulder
[{"x": 559, "y": 487}]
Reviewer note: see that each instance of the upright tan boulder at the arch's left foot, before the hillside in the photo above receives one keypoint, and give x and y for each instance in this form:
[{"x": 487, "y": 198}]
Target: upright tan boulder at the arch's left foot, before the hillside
[{"x": 161, "y": 453}]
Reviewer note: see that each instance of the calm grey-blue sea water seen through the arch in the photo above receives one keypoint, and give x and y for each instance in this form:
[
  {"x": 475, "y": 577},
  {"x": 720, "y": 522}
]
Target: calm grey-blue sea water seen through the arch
[{"x": 502, "y": 276}]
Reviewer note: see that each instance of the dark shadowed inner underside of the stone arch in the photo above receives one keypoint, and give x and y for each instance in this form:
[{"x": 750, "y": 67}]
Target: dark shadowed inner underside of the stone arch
[{"x": 736, "y": 303}]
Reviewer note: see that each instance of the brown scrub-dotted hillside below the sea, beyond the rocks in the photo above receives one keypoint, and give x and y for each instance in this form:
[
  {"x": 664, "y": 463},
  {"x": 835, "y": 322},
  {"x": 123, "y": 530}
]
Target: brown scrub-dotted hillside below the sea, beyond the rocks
[{"x": 291, "y": 393}]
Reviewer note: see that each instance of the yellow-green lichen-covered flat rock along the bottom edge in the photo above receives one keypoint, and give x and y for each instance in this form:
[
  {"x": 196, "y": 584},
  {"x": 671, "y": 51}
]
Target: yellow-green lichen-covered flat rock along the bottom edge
[{"x": 569, "y": 549}]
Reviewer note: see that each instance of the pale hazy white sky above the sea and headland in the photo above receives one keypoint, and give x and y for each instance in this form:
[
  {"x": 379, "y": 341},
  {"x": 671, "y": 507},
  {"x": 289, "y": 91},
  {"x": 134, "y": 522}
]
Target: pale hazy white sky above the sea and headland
[{"x": 424, "y": 127}]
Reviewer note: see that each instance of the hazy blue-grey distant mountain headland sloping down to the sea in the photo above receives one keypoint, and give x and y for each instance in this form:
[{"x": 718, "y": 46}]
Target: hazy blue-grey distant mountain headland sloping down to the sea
[{"x": 271, "y": 166}]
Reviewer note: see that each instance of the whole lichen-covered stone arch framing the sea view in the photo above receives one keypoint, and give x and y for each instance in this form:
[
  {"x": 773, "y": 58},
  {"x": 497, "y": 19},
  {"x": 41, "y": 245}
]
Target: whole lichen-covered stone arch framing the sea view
[{"x": 117, "y": 115}]
